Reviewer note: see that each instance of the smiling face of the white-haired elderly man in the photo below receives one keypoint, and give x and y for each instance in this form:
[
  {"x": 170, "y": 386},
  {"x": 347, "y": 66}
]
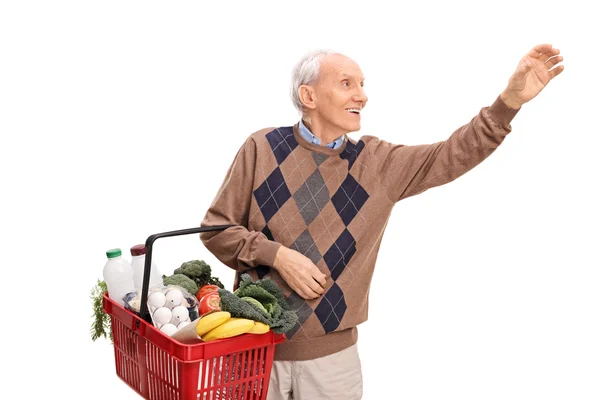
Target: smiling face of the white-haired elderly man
[{"x": 339, "y": 95}]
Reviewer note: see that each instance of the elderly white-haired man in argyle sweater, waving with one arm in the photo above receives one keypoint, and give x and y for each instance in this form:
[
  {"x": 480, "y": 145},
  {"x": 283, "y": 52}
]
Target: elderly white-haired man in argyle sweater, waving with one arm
[{"x": 311, "y": 205}]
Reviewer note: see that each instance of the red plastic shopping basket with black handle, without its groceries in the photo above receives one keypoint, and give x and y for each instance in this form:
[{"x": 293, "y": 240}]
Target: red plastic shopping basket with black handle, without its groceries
[{"x": 160, "y": 368}]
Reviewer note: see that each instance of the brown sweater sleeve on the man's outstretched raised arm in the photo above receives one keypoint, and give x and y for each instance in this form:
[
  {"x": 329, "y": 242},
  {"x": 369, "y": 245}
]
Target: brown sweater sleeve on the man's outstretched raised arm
[{"x": 406, "y": 171}]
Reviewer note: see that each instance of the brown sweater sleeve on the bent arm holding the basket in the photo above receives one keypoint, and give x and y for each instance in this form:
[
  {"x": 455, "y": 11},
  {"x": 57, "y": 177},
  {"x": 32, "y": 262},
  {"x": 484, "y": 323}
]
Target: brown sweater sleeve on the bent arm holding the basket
[{"x": 237, "y": 247}]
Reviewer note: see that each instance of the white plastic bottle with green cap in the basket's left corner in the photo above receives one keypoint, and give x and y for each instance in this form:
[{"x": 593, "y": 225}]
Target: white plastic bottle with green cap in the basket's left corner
[{"x": 118, "y": 276}]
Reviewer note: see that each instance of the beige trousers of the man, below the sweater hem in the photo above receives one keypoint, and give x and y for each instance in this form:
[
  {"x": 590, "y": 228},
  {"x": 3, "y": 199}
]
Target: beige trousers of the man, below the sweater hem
[{"x": 333, "y": 377}]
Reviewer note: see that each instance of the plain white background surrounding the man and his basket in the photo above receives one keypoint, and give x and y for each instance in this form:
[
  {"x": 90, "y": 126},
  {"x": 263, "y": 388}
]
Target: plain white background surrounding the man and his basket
[{"x": 119, "y": 119}]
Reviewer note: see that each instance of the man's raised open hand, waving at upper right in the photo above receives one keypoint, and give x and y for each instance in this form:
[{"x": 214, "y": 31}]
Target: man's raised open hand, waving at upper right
[{"x": 535, "y": 70}]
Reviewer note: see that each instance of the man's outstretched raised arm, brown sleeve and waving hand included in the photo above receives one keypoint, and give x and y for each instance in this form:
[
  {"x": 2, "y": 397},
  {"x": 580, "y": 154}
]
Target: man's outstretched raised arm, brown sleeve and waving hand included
[{"x": 405, "y": 171}]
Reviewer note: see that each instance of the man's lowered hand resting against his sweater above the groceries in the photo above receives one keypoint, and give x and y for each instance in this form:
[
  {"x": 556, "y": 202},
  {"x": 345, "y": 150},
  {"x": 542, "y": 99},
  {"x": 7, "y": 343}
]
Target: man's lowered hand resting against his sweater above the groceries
[{"x": 300, "y": 273}]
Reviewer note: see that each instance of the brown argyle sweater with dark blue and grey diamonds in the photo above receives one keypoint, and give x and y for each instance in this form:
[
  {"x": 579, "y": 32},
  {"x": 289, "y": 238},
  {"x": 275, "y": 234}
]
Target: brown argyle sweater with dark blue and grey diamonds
[{"x": 332, "y": 205}]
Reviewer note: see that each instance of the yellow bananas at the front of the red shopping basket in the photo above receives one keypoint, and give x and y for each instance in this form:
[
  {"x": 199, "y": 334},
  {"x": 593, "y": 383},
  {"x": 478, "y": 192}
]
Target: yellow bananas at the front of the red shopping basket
[{"x": 220, "y": 325}]
